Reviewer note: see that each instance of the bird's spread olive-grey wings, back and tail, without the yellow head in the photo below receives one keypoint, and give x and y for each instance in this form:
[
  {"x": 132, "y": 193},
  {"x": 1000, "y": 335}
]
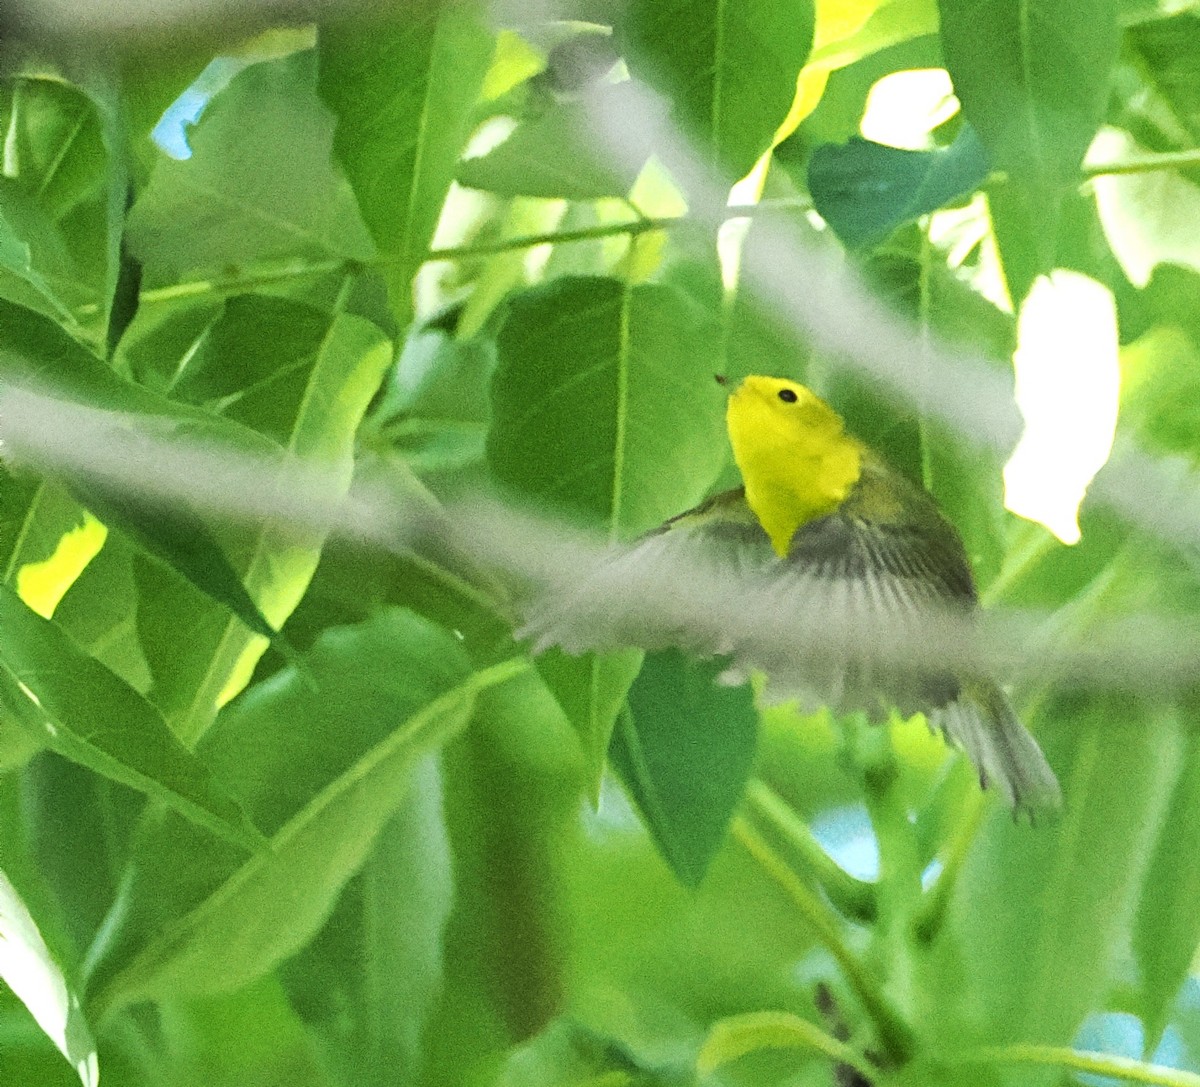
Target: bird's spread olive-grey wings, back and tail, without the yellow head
[{"x": 881, "y": 563}]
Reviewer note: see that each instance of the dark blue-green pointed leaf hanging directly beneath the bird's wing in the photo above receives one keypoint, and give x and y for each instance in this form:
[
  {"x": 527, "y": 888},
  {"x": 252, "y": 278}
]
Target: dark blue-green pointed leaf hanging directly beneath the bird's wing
[{"x": 686, "y": 750}]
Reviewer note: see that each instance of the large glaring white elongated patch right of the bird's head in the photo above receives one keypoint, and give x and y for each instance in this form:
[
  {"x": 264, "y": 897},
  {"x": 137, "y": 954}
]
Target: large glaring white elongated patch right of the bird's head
[{"x": 1067, "y": 389}]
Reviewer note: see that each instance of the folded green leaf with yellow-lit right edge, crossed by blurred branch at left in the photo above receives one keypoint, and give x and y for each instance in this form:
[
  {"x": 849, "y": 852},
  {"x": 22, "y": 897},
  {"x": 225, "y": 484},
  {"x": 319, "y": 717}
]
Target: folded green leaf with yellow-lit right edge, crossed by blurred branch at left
[{"x": 303, "y": 379}]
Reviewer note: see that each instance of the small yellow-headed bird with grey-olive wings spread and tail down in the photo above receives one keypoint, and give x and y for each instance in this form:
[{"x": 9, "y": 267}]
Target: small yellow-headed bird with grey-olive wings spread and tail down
[{"x": 823, "y": 527}]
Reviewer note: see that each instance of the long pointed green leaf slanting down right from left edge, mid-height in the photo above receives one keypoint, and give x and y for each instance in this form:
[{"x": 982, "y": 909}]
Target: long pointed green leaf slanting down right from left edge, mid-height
[{"x": 83, "y": 712}]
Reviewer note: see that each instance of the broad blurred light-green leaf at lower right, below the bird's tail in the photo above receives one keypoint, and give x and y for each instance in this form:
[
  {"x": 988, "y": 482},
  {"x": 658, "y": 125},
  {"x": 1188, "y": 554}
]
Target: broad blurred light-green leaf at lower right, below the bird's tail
[{"x": 1065, "y": 892}]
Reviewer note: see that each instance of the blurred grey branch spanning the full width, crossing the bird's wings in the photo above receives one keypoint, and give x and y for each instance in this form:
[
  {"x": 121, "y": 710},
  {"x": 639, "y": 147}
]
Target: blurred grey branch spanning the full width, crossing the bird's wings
[{"x": 147, "y": 459}]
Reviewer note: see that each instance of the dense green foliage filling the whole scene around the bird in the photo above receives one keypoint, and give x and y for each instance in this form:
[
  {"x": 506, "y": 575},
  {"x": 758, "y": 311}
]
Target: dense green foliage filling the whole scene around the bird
[{"x": 279, "y": 806}]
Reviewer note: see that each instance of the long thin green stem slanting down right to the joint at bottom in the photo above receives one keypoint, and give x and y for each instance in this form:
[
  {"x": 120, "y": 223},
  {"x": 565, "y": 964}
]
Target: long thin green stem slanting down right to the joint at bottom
[{"x": 895, "y": 1035}]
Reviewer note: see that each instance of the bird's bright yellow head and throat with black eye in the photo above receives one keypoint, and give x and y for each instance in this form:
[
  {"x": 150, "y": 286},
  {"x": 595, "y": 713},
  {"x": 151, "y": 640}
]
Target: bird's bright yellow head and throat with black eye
[{"x": 796, "y": 460}]
